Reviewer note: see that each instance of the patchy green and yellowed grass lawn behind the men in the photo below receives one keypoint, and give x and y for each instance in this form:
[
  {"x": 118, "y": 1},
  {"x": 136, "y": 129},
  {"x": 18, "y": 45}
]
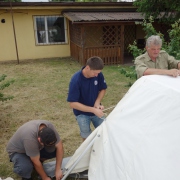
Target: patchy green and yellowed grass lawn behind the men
[{"x": 40, "y": 91}]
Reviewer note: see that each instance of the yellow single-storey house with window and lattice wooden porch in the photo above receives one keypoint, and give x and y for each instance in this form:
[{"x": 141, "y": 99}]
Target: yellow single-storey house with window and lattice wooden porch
[{"x": 33, "y": 30}]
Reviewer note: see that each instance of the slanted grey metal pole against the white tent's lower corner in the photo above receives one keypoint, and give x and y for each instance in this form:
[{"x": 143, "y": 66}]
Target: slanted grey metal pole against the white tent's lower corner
[{"x": 79, "y": 158}]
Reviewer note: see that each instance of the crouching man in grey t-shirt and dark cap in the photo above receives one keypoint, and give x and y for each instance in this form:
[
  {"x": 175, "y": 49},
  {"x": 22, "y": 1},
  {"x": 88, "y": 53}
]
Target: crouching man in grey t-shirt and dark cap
[{"x": 33, "y": 143}]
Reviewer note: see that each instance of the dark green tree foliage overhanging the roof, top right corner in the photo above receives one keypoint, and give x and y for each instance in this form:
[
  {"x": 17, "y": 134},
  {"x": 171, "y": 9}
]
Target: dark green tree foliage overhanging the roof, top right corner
[{"x": 169, "y": 8}]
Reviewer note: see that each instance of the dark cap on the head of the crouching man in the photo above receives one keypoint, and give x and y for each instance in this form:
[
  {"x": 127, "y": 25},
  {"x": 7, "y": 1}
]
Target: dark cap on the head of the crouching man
[{"x": 48, "y": 138}]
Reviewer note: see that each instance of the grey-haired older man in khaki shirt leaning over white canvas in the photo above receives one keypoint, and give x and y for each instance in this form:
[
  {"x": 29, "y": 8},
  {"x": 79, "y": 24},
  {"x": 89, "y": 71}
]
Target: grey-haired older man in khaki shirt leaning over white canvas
[{"x": 156, "y": 61}]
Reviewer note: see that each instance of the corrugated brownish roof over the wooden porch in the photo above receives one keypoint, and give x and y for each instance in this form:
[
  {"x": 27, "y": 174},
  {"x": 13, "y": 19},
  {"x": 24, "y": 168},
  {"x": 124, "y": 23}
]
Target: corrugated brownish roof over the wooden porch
[{"x": 102, "y": 16}]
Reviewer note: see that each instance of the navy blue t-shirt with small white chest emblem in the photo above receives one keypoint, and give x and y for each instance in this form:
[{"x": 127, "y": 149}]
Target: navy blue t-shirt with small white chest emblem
[{"x": 85, "y": 90}]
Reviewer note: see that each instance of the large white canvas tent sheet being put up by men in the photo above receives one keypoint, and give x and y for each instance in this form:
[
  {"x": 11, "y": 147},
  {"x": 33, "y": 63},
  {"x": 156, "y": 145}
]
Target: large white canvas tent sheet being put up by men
[{"x": 140, "y": 139}]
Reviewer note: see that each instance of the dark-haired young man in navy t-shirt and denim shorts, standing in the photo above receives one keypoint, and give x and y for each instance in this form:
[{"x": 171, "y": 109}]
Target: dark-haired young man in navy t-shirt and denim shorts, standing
[{"x": 86, "y": 90}]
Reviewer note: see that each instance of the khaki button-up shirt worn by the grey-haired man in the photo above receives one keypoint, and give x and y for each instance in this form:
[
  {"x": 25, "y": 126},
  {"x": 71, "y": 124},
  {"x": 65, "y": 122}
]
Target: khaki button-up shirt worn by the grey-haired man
[{"x": 163, "y": 61}]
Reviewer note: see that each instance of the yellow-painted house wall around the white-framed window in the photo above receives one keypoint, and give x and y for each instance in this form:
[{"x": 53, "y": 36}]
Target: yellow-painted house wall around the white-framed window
[{"x": 25, "y": 36}]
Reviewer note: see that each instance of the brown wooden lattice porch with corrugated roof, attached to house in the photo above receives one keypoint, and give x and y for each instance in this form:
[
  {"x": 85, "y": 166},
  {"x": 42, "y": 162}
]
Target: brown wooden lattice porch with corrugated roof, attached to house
[{"x": 104, "y": 34}]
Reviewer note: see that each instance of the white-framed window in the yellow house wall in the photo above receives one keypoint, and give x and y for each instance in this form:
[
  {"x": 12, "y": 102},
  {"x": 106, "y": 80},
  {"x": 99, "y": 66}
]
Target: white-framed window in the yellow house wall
[{"x": 50, "y": 30}]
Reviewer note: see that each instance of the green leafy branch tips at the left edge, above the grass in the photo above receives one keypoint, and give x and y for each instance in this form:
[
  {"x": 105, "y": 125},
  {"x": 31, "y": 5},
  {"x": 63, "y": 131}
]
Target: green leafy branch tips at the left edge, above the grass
[{"x": 3, "y": 86}]
